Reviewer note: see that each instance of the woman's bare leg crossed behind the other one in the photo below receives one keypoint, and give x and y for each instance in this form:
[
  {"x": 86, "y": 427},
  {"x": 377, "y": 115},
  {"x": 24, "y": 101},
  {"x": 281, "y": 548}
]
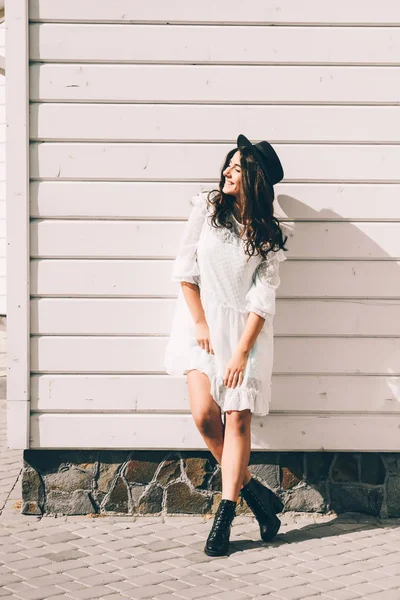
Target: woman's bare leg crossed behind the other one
[{"x": 207, "y": 416}]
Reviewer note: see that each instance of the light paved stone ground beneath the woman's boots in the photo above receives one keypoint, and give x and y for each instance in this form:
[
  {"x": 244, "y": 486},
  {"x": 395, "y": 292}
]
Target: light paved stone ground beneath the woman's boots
[{"x": 313, "y": 557}]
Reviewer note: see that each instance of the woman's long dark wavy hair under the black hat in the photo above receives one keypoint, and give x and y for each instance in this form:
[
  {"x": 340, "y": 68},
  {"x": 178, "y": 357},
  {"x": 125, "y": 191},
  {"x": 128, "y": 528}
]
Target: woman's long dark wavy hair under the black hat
[{"x": 261, "y": 228}]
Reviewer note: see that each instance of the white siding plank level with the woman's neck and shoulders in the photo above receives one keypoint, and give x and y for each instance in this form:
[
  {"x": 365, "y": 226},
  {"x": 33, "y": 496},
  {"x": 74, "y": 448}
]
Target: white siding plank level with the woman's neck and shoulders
[{"x": 163, "y": 200}]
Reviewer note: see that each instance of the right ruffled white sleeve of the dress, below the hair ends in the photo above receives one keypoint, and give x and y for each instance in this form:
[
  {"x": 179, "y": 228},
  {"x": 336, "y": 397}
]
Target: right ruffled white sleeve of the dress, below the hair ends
[{"x": 260, "y": 297}]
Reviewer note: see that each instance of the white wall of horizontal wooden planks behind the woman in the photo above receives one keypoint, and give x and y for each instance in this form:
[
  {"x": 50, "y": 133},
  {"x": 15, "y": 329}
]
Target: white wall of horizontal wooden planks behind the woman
[{"x": 133, "y": 107}]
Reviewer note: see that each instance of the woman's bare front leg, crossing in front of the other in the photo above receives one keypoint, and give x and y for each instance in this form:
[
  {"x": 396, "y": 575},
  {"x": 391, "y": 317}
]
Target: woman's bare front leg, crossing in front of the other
[{"x": 236, "y": 452}]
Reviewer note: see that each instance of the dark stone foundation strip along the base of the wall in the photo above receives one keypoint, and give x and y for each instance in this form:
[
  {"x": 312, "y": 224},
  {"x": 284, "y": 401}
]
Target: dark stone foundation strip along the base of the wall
[{"x": 113, "y": 482}]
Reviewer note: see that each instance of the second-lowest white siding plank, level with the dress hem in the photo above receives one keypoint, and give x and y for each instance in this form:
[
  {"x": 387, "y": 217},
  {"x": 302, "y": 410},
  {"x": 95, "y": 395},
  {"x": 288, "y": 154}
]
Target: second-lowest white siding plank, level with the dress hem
[{"x": 165, "y": 393}]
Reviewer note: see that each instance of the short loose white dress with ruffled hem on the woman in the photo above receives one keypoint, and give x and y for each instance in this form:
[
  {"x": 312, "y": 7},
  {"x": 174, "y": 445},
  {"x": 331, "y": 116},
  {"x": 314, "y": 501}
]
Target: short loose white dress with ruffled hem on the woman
[{"x": 231, "y": 285}]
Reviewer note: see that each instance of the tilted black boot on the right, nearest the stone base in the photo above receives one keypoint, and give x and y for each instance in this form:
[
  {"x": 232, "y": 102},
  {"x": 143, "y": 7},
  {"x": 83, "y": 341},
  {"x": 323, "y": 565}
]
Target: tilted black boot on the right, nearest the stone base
[{"x": 264, "y": 504}]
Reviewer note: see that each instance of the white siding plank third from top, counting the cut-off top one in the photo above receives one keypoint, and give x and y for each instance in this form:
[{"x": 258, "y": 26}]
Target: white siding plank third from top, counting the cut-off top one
[{"x": 203, "y": 83}]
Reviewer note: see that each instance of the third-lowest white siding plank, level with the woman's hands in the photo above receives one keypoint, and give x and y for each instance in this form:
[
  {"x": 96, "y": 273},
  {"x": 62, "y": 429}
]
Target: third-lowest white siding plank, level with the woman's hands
[{"x": 112, "y": 354}]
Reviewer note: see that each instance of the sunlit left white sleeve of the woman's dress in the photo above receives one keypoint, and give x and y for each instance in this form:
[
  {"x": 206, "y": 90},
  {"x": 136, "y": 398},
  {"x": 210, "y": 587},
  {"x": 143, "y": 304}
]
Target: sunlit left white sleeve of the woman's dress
[{"x": 185, "y": 267}]
